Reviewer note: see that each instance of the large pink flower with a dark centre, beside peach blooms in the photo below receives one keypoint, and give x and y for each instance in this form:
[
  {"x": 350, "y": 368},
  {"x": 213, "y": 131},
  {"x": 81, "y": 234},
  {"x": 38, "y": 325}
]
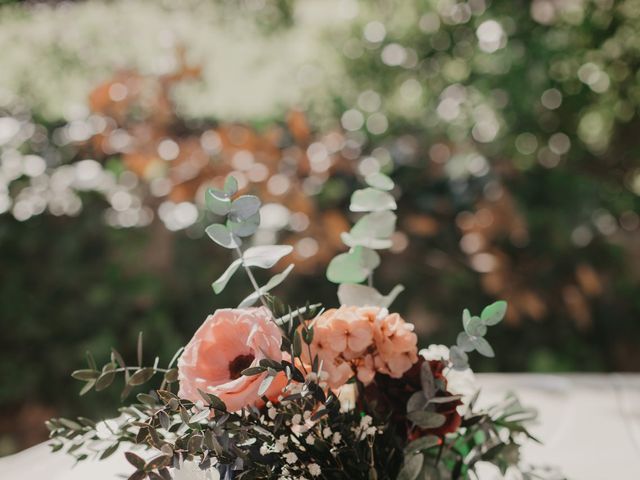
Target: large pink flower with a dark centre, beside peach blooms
[{"x": 228, "y": 342}]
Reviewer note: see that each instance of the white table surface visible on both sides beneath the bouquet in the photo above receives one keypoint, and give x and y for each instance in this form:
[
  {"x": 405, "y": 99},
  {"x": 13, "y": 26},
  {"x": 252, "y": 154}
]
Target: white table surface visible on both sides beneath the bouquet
[{"x": 589, "y": 423}]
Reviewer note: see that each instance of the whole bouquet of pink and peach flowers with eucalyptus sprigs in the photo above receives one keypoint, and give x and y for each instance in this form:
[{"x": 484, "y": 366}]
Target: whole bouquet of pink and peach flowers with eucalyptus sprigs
[{"x": 305, "y": 392}]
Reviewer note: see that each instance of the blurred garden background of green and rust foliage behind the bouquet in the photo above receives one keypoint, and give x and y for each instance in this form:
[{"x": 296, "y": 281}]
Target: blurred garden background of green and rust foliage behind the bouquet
[{"x": 510, "y": 128}]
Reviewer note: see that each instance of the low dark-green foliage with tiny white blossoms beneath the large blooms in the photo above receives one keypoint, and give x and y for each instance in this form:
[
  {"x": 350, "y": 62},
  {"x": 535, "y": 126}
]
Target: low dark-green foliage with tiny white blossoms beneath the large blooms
[{"x": 359, "y": 443}]
